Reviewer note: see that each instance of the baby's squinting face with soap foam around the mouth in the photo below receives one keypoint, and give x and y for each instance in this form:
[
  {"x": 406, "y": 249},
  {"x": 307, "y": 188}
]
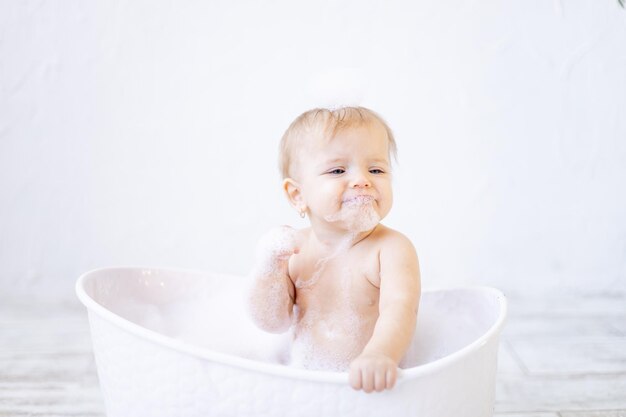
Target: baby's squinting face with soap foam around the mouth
[{"x": 346, "y": 181}]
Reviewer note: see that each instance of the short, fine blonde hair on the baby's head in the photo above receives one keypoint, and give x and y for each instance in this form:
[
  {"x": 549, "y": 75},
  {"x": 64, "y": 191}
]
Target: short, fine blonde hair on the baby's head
[{"x": 326, "y": 123}]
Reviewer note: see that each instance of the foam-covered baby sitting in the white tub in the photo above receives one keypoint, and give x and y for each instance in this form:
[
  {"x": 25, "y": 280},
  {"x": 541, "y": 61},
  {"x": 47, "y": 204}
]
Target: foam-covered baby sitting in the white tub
[{"x": 347, "y": 286}]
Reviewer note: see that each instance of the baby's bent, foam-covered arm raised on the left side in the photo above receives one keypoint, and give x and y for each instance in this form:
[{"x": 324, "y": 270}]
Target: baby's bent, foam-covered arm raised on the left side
[{"x": 272, "y": 294}]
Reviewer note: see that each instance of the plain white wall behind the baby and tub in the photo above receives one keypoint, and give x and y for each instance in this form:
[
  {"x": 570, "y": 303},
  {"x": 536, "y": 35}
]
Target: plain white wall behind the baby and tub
[{"x": 145, "y": 133}]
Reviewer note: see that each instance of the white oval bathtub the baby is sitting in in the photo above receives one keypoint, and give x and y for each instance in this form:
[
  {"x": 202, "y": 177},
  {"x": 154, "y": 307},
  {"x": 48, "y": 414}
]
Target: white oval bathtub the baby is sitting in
[{"x": 148, "y": 368}]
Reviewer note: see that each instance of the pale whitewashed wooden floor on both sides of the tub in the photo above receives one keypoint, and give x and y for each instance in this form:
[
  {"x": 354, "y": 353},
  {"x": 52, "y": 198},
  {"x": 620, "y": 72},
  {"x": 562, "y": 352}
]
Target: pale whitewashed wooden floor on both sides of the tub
[{"x": 562, "y": 356}]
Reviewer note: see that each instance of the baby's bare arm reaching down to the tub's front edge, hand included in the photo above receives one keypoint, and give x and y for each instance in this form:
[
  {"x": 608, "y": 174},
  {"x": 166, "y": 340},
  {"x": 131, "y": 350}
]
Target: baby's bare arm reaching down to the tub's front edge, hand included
[{"x": 376, "y": 367}]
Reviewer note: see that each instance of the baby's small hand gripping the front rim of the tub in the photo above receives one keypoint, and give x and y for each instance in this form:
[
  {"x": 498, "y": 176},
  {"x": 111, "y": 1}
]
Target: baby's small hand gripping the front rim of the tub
[{"x": 373, "y": 372}]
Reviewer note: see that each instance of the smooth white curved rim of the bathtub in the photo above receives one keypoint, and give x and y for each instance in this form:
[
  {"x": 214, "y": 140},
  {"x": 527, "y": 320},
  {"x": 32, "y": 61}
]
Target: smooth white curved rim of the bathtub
[{"x": 277, "y": 369}]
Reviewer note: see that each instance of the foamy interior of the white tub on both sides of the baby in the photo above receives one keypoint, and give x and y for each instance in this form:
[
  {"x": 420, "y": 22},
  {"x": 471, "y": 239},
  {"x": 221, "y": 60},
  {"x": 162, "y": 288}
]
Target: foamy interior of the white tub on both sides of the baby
[{"x": 210, "y": 312}]
